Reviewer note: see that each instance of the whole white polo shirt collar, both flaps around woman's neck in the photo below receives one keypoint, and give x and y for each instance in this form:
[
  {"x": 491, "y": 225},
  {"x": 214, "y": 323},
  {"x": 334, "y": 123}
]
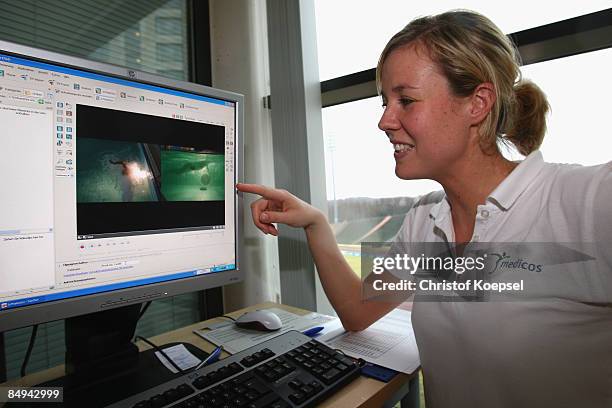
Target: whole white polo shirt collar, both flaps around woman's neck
[{"x": 507, "y": 192}]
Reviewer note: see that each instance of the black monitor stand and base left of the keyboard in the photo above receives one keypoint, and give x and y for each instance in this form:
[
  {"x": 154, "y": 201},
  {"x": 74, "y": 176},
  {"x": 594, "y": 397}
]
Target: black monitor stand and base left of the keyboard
[{"x": 102, "y": 363}]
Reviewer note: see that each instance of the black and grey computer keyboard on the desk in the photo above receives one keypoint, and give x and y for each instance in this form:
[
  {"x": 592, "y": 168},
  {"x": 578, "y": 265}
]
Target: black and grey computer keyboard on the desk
[{"x": 290, "y": 370}]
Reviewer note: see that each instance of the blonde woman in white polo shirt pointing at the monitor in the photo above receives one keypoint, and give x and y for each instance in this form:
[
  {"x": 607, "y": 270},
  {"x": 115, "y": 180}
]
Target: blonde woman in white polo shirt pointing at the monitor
[{"x": 452, "y": 91}]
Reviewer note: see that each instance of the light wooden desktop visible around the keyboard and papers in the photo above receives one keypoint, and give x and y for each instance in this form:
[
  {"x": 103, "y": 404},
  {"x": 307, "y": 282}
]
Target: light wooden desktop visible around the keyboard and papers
[{"x": 362, "y": 392}]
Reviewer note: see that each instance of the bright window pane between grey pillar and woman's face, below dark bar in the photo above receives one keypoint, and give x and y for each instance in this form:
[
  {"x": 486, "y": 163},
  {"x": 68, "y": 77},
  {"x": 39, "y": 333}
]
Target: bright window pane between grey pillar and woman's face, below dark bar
[{"x": 367, "y": 202}]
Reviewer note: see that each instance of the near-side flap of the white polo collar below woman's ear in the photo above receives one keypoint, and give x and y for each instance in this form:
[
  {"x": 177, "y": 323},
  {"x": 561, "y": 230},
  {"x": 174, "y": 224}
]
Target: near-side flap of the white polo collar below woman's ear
[{"x": 509, "y": 190}]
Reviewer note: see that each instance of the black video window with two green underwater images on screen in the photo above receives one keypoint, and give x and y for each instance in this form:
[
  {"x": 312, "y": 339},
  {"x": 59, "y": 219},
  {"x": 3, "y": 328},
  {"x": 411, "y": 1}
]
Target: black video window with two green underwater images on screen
[{"x": 142, "y": 174}]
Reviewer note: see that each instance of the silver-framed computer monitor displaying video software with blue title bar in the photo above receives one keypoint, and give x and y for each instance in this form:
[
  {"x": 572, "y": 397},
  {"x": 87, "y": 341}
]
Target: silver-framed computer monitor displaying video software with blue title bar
[{"x": 109, "y": 182}]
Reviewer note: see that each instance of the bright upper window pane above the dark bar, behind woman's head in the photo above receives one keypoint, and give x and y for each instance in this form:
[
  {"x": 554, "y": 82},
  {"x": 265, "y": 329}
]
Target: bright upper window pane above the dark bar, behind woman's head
[{"x": 352, "y": 33}]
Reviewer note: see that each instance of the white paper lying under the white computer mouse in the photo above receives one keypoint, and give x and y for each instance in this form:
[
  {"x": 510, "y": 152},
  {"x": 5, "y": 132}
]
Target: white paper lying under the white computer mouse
[{"x": 234, "y": 339}]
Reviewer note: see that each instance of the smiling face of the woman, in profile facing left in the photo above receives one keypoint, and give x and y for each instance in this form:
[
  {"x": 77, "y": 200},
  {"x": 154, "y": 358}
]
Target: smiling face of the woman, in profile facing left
[{"x": 428, "y": 126}]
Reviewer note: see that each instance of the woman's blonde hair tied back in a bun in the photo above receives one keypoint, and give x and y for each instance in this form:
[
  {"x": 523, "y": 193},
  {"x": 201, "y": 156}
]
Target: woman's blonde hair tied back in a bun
[{"x": 470, "y": 50}]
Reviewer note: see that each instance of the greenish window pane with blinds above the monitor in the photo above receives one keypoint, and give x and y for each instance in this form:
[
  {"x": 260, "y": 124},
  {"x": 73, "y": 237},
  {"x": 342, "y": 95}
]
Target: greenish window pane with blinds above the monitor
[{"x": 128, "y": 34}]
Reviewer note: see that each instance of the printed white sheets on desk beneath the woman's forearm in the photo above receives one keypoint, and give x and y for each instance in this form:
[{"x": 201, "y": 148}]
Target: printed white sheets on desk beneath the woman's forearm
[{"x": 389, "y": 342}]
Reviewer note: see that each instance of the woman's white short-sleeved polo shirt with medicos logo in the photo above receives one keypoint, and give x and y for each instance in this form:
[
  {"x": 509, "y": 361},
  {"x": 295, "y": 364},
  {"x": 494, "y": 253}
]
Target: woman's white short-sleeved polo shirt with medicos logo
[{"x": 551, "y": 350}]
